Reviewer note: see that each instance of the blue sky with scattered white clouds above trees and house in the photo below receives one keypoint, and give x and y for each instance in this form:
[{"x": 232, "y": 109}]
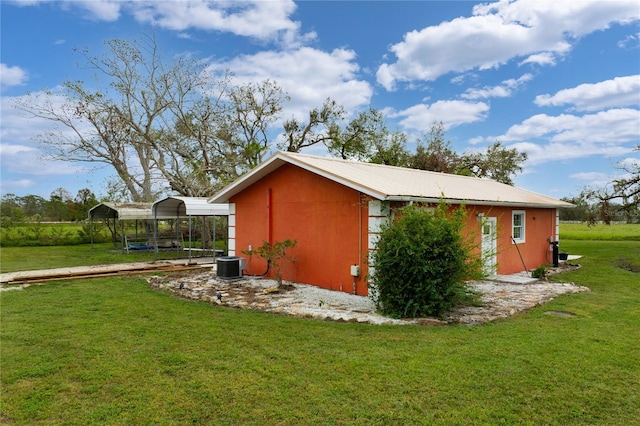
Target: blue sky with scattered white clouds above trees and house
[{"x": 557, "y": 79}]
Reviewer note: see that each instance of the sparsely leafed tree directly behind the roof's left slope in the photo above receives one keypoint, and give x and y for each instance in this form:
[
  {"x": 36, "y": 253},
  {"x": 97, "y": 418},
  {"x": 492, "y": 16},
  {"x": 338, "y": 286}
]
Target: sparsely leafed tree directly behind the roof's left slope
[{"x": 218, "y": 140}]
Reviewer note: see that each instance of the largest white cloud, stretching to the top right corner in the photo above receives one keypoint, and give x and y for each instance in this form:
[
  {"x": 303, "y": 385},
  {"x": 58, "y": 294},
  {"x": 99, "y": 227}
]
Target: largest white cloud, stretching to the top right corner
[{"x": 538, "y": 30}]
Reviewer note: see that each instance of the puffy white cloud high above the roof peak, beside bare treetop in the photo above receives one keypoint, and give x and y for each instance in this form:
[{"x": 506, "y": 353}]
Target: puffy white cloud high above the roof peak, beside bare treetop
[{"x": 308, "y": 76}]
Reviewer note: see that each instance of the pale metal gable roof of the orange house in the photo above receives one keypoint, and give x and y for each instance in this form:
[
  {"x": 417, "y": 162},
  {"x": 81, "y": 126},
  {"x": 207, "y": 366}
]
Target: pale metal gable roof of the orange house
[{"x": 396, "y": 183}]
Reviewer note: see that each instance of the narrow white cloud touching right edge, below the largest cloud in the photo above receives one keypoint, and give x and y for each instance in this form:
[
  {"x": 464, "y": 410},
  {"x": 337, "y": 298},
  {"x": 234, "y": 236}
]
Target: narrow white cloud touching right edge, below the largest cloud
[{"x": 618, "y": 92}]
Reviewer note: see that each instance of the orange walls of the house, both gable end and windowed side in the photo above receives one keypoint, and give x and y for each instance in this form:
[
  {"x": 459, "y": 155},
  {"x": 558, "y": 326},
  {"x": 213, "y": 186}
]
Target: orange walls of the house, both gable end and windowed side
[{"x": 336, "y": 227}]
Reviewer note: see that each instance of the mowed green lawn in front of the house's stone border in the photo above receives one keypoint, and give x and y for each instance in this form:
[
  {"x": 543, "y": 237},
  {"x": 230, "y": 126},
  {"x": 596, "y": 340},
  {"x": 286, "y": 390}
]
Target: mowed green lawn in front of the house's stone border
[{"x": 114, "y": 351}]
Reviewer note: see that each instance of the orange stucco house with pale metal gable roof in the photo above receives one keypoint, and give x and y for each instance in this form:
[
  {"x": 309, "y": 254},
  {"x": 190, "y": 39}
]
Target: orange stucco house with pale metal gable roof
[{"x": 334, "y": 209}]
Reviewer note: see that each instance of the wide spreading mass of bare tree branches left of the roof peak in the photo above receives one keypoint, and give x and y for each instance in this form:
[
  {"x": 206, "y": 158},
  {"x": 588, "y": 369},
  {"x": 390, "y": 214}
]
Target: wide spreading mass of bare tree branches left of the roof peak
[{"x": 157, "y": 123}]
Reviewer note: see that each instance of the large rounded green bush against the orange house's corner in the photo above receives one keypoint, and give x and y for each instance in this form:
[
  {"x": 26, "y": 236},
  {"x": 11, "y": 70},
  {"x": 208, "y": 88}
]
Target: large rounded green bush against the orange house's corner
[{"x": 421, "y": 263}]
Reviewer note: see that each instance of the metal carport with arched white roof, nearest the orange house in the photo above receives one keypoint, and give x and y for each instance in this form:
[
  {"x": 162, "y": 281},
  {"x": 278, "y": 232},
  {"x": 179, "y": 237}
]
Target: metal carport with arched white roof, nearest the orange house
[{"x": 178, "y": 207}]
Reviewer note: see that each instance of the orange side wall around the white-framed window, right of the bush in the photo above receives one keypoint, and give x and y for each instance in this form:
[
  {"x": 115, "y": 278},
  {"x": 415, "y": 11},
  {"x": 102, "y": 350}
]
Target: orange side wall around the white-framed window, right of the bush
[{"x": 540, "y": 224}]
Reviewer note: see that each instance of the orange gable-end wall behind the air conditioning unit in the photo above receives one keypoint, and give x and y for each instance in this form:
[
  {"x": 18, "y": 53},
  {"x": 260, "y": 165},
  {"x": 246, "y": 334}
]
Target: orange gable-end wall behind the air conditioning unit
[{"x": 327, "y": 219}]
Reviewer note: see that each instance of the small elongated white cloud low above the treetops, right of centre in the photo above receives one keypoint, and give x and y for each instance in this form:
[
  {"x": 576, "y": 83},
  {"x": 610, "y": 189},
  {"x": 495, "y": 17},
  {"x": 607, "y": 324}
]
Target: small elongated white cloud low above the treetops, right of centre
[{"x": 451, "y": 113}]
